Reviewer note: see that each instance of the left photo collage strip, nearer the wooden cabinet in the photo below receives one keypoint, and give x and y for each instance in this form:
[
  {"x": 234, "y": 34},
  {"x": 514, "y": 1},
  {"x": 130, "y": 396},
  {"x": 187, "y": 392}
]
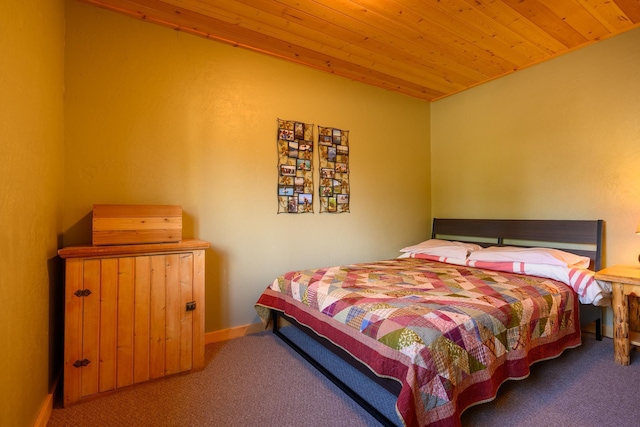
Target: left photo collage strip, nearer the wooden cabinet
[{"x": 295, "y": 167}]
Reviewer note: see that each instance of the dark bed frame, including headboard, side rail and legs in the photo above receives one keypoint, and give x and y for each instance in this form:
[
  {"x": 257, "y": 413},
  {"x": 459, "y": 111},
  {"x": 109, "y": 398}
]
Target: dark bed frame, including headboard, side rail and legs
[{"x": 582, "y": 237}]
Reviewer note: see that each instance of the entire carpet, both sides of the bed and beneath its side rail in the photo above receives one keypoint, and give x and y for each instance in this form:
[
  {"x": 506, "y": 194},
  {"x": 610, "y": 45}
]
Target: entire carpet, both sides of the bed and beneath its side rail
[{"x": 258, "y": 381}]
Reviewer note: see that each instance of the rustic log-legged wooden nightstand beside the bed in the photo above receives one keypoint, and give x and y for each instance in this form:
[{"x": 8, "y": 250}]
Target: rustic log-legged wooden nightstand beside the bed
[{"x": 625, "y": 281}]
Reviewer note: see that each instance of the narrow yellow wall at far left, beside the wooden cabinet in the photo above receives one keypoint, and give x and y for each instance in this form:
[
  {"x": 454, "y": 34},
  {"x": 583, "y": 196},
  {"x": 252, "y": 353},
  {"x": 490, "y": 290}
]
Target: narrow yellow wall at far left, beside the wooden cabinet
[{"x": 31, "y": 137}]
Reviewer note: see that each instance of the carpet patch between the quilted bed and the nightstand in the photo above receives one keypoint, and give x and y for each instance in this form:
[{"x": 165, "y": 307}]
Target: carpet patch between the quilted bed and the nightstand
[{"x": 583, "y": 387}]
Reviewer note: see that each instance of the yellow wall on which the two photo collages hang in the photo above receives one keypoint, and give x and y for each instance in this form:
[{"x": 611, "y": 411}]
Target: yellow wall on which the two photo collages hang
[{"x": 159, "y": 116}]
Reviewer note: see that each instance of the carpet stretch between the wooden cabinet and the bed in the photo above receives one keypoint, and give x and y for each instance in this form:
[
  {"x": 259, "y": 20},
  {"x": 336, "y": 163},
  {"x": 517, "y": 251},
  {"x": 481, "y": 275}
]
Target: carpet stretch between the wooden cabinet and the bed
[{"x": 250, "y": 381}]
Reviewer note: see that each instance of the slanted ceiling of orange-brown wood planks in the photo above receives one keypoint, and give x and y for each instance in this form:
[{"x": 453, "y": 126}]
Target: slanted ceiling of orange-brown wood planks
[{"x": 427, "y": 49}]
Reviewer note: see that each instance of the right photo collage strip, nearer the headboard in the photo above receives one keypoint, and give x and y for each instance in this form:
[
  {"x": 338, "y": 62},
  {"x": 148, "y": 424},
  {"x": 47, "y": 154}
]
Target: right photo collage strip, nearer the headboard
[{"x": 333, "y": 151}]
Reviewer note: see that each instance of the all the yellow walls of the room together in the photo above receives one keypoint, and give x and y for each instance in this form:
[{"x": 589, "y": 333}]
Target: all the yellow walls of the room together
[{"x": 151, "y": 115}]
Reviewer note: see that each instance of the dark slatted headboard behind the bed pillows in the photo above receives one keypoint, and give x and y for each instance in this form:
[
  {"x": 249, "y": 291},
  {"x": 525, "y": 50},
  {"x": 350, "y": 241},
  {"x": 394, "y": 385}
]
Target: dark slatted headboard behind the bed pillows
[{"x": 575, "y": 236}]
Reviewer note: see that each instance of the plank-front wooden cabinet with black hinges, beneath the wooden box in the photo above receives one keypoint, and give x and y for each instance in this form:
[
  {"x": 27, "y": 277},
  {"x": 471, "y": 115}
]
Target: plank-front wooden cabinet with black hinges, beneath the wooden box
[{"x": 133, "y": 313}]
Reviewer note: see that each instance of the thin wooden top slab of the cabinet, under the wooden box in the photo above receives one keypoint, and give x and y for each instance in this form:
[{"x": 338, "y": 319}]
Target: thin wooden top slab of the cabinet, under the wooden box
[{"x": 118, "y": 250}]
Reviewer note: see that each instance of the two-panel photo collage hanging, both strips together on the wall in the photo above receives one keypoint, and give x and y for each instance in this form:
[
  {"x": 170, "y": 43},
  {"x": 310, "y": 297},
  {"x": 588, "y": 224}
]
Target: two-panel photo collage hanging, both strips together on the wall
[{"x": 295, "y": 168}]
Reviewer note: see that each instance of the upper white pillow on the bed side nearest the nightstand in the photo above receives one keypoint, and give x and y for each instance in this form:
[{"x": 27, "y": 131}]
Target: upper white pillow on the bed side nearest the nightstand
[{"x": 530, "y": 255}]
